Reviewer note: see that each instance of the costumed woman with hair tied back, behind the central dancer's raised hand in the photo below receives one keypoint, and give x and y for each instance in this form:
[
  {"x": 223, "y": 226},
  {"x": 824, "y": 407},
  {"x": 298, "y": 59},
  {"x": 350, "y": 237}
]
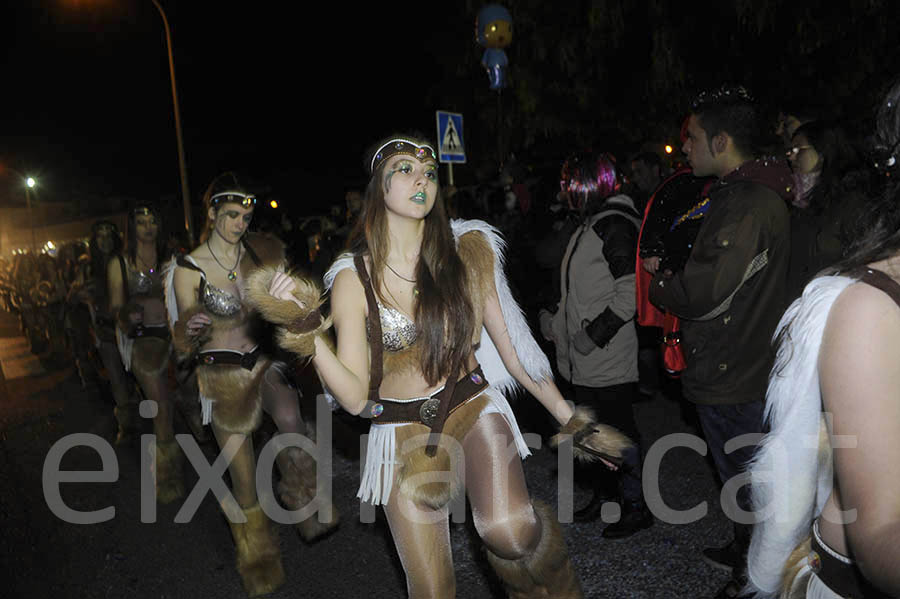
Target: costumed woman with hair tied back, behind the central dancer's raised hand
[{"x": 237, "y": 377}]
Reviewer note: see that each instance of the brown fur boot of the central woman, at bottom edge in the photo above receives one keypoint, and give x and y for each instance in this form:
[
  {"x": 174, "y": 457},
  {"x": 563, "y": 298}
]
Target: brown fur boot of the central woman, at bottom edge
[{"x": 546, "y": 572}]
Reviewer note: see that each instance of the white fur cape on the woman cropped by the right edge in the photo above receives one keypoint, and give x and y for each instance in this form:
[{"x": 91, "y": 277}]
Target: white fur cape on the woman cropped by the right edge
[{"x": 791, "y": 472}]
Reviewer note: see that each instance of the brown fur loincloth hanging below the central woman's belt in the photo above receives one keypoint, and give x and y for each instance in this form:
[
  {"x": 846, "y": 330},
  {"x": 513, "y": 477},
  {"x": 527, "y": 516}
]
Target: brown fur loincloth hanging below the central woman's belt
[{"x": 418, "y": 470}]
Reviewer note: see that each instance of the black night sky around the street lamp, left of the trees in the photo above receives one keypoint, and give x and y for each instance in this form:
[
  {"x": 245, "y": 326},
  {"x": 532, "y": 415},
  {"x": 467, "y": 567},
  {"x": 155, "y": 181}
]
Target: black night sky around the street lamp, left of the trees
[{"x": 293, "y": 94}]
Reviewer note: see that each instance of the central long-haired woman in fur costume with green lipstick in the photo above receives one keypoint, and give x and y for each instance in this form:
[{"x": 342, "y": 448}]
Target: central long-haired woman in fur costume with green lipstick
[{"x": 408, "y": 303}]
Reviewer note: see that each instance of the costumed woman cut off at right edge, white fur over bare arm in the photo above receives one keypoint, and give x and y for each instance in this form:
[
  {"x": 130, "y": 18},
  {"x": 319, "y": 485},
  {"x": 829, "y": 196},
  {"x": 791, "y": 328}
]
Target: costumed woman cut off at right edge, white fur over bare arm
[{"x": 831, "y": 510}]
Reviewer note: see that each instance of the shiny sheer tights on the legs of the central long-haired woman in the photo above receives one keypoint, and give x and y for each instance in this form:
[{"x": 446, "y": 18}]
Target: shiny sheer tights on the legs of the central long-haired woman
[{"x": 501, "y": 511}]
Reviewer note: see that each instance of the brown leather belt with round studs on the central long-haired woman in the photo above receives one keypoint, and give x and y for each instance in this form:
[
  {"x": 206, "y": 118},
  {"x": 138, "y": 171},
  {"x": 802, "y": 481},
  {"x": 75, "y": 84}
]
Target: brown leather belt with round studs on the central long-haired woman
[{"x": 425, "y": 410}]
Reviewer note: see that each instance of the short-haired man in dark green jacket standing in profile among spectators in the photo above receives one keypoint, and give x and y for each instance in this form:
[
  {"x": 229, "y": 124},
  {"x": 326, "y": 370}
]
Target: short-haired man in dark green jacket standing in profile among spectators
[{"x": 731, "y": 293}]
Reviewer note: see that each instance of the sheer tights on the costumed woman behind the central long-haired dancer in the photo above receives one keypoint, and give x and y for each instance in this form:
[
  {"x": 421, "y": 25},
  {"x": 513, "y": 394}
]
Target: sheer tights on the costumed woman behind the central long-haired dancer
[{"x": 279, "y": 400}]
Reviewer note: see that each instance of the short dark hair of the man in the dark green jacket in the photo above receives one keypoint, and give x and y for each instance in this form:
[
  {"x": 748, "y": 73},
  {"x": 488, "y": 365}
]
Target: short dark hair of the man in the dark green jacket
[{"x": 732, "y": 110}]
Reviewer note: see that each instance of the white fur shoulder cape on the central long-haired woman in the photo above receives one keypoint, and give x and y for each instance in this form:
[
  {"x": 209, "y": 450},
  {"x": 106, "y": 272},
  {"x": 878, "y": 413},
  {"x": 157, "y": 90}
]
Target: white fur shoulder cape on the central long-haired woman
[{"x": 530, "y": 355}]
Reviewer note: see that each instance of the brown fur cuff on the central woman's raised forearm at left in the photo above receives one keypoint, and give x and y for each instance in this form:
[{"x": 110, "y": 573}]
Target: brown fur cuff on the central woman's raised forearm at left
[{"x": 297, "y": 327}]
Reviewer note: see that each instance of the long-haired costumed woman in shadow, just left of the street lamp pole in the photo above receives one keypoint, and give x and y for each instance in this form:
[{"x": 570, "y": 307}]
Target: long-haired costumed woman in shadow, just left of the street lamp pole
[{"x": 134, "y": 279}]
